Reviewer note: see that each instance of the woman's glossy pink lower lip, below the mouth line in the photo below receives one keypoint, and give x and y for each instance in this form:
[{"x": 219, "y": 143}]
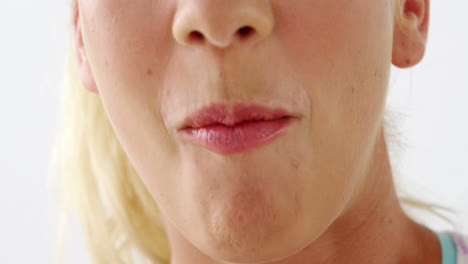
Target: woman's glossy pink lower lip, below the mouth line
[{"x": 238, "y": 138}]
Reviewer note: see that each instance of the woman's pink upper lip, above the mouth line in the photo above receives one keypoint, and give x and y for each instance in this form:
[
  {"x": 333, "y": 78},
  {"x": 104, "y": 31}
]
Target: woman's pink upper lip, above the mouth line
[{"x": 231, "y": 115}]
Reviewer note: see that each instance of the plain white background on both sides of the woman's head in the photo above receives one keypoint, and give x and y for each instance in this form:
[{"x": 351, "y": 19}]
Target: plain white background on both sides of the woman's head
[{"x": 432, "y": 99}]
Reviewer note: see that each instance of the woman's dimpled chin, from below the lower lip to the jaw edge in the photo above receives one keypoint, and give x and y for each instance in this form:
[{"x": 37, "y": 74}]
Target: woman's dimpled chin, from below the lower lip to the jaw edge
[{"x": 247, "y": 213}]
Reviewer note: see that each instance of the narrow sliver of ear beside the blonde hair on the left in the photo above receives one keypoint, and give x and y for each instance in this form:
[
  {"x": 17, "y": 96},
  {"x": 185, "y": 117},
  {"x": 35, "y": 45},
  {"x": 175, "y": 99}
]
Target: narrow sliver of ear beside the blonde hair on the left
[{"x": 84, "y": 69}]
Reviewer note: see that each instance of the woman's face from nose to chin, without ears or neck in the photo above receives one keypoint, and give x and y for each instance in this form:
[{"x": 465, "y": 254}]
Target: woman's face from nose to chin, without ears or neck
[{"x": 325, "y": 63}]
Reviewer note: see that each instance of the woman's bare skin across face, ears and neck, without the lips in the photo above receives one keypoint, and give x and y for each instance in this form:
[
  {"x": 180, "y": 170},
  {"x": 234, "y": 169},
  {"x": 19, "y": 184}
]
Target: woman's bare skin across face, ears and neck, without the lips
[{"x": 322, "y": 192}]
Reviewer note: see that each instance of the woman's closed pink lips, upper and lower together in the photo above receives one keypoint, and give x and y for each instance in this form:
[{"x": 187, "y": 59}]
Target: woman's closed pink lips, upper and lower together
[{"x": 237, "y": 128}]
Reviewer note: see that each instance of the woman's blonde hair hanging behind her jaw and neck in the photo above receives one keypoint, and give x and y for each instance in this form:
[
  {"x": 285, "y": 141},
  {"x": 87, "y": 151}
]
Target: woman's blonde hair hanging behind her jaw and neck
[{"x": 120, "y": 218}]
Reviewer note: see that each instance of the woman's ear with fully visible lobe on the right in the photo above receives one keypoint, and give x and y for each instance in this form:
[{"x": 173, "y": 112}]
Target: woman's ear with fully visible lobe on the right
[{"x": 410, "y": 32}]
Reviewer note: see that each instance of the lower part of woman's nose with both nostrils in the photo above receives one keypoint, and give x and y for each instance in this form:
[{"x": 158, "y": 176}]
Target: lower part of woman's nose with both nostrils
[{"x": 220, "y": 23}]
